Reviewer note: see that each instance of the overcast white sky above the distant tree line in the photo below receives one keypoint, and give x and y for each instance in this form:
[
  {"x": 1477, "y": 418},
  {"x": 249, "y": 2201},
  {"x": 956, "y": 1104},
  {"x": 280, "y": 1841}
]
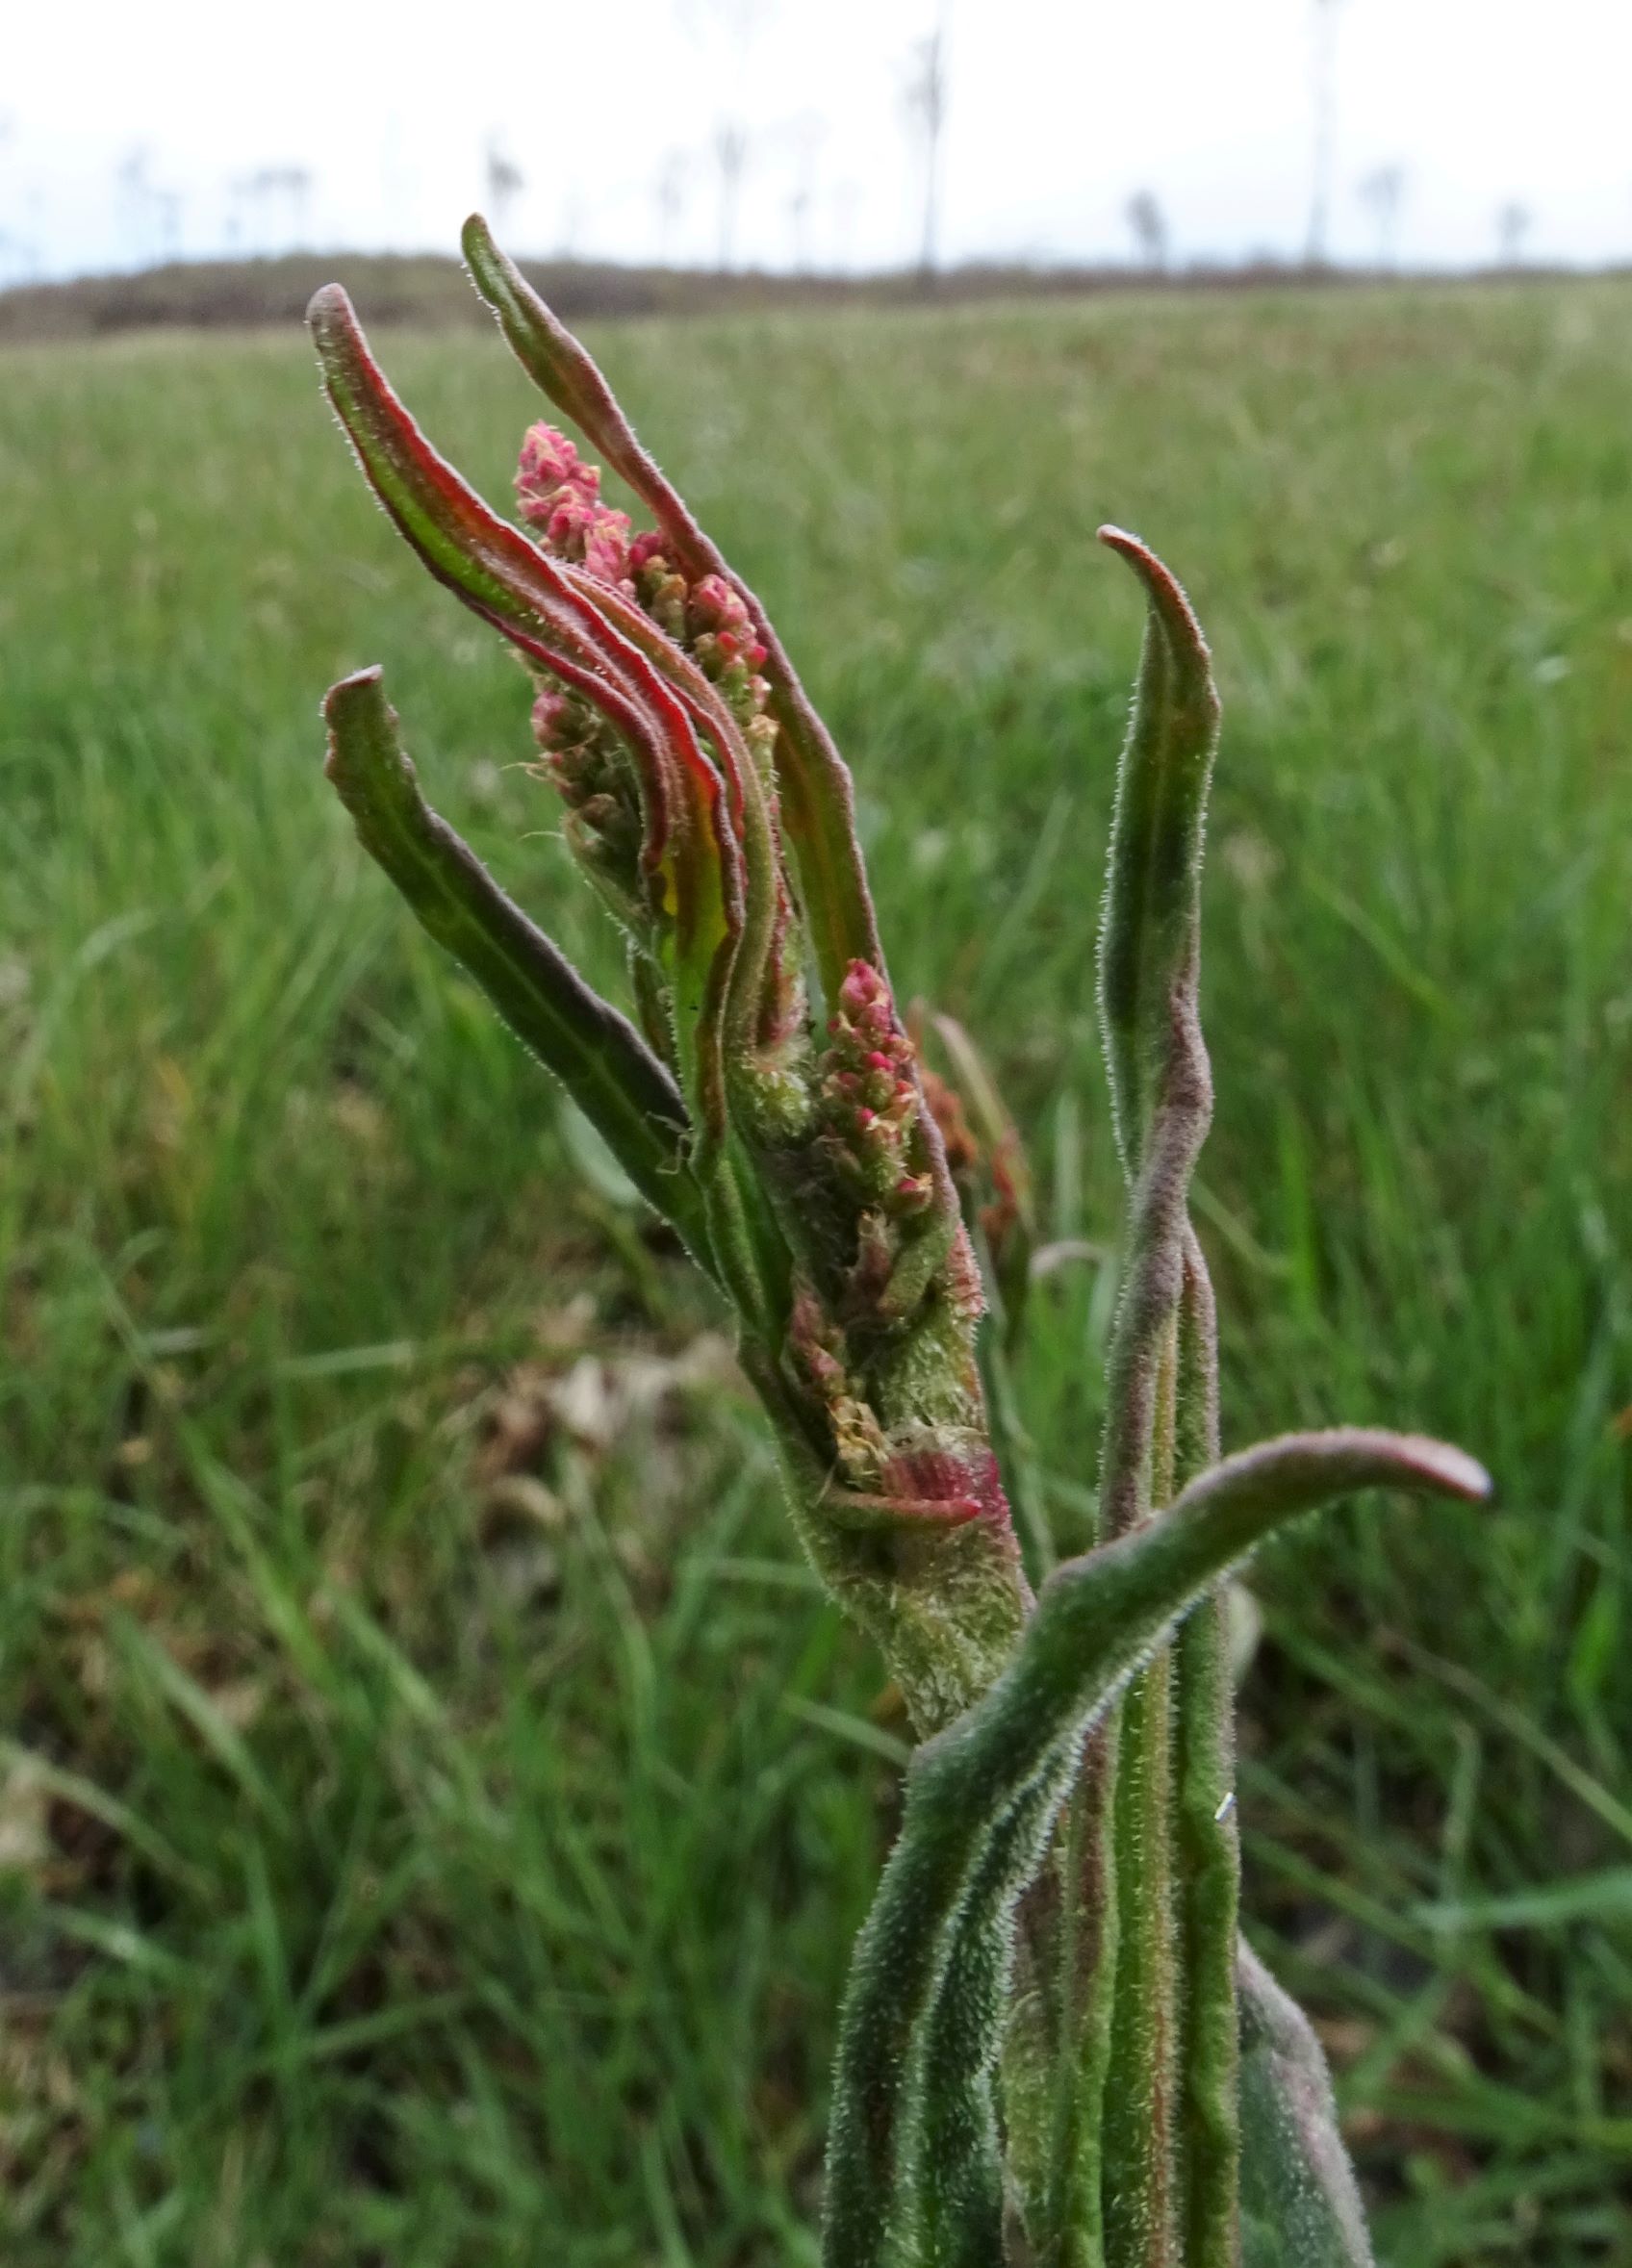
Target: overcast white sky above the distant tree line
[{"x": 1057, "y": 112}]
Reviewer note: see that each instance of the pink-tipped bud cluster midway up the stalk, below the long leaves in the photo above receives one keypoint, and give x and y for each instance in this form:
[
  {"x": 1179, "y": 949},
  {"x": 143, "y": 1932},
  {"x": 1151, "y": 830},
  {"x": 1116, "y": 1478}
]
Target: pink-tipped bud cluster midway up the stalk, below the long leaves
[{"x": 869, "y": 1099}]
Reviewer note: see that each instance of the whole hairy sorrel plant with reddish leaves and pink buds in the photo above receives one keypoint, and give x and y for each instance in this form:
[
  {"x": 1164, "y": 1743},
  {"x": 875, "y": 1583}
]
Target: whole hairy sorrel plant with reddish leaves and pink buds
[{"x": 1055, "y": 2047}]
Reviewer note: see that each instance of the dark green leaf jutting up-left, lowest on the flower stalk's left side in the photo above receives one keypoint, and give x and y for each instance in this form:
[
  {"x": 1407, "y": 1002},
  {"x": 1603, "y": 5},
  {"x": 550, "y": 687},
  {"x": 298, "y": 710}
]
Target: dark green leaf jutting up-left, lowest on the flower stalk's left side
[{"x": 604, "y": 1065}]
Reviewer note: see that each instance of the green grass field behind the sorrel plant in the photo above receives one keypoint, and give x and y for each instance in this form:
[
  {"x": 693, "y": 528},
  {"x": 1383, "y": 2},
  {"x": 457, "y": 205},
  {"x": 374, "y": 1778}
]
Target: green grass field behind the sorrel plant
[{"x": 436, "y": 1806}]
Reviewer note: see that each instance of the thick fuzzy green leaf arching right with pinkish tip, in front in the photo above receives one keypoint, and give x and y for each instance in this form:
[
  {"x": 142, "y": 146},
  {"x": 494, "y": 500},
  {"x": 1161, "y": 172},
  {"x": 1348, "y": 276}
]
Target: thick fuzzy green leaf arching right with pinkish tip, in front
[{"x": 912, "y": 2156}]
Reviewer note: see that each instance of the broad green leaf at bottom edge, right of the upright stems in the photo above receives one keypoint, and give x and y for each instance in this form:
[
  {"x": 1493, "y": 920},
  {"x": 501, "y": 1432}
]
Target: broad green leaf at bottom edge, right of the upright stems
[{"x": 1300, "y": 2199}]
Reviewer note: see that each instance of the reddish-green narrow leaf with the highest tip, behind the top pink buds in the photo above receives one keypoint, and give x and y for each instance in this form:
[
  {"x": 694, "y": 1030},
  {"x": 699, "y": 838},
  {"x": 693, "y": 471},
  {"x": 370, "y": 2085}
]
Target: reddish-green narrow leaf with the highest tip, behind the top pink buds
[{"x": 815, "y": 781}]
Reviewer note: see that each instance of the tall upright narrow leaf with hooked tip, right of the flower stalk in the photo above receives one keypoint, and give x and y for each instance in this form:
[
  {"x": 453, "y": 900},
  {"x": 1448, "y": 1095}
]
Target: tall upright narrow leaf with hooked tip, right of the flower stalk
[{"x": 1162, "y": 1103}]
